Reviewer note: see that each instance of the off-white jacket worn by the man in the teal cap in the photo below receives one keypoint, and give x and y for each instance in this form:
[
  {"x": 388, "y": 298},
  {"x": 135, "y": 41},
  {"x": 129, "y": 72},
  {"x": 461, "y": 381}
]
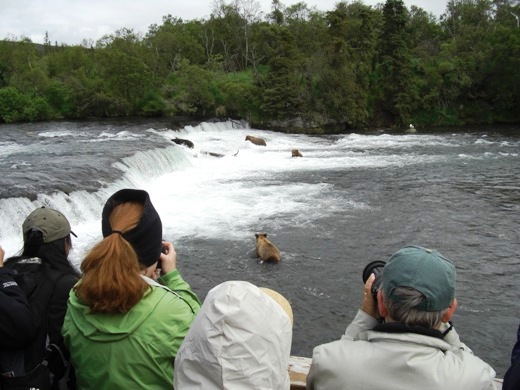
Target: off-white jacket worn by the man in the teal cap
[{"x": 372, "y": 360}]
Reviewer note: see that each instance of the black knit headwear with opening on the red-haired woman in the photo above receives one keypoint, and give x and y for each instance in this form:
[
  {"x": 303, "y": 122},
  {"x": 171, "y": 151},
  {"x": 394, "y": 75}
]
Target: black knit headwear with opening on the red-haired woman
[{"x": 146, "y": 237}]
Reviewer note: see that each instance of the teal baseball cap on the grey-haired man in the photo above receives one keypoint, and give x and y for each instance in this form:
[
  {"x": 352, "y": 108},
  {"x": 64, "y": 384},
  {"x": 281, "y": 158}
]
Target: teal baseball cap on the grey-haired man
[{"x": 424, "y": 270}]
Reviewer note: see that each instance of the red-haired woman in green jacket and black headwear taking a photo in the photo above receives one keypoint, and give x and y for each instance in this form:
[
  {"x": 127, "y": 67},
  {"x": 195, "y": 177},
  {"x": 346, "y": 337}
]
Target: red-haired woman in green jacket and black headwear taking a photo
[{"x": 123, "y": 328}]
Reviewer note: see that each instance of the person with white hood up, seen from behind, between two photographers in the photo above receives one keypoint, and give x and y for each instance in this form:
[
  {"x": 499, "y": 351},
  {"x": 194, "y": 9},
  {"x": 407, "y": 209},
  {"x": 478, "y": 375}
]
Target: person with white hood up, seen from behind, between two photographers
[{"x": 240, "y": 339}]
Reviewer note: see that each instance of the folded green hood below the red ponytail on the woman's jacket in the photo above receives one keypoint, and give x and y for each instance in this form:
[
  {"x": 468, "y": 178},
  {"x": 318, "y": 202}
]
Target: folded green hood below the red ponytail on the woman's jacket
[{"x": 112, "y": 326}]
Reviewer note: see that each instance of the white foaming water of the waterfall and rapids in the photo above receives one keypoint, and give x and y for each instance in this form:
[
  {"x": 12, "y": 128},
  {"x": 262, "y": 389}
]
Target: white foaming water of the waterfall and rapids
[{"x": 197, "y": 194}]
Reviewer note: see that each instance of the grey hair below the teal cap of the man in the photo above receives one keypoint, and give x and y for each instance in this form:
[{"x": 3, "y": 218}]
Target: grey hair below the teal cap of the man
[{"x": 404, "y": 309}]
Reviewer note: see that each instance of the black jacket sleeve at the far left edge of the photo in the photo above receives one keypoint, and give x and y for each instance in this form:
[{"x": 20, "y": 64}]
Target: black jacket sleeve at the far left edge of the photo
[{"x": 16, "y": 325}]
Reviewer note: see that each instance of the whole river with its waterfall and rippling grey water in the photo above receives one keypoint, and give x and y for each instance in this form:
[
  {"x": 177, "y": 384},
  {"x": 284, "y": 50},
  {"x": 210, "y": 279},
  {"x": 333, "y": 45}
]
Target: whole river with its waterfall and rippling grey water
[{"x": 350, "y": 200}]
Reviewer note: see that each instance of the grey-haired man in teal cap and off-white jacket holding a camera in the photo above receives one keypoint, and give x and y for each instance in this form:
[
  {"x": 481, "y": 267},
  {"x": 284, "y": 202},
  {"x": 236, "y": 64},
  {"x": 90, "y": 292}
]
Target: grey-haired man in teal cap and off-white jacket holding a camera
[{"x": 414, "y": 346}]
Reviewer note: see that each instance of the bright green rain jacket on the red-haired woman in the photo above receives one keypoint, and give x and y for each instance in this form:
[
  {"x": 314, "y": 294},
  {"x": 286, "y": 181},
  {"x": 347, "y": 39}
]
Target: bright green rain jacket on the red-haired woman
[{"x": 134, "y": 350}]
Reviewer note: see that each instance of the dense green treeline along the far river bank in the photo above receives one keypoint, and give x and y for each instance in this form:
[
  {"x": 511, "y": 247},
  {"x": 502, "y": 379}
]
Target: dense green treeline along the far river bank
[{"x": 350, "y": 67}]
